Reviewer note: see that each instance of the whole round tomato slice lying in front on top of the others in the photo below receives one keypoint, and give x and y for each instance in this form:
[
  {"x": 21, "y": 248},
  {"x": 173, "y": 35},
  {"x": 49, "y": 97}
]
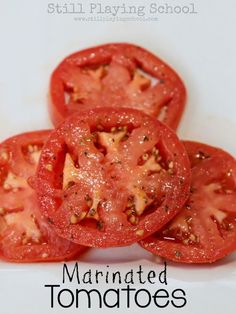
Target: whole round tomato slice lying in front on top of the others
[{"x": 110, "y": 177}]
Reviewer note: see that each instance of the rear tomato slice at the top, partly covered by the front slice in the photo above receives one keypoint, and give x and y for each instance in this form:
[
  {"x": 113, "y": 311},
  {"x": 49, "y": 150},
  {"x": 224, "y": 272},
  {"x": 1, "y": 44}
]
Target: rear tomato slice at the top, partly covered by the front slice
[{"x": 117, "y": 75}]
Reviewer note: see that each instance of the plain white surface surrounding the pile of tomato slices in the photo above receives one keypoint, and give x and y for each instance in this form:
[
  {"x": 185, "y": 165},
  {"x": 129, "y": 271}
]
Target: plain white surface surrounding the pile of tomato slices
[{"x": 201, "y": 47}]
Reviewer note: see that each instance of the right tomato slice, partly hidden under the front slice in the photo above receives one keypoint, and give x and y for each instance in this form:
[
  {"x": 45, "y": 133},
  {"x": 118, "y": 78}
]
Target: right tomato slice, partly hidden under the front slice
[{"x": 205, "y": 229}]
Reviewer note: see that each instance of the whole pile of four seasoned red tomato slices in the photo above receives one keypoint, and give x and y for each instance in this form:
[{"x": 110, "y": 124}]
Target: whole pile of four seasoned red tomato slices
[{"x": 113, "y": 172}]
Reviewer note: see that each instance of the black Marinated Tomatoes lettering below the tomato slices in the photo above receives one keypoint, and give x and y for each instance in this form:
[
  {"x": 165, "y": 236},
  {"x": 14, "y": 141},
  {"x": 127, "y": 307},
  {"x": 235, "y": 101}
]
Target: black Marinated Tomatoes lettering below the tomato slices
[{"x": 106, "y": 288}]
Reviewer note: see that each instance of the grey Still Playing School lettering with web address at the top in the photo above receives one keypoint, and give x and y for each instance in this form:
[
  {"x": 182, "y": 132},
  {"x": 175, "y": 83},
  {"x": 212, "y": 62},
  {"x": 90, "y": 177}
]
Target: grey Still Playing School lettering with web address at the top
[{"x": 101, "y": 12}]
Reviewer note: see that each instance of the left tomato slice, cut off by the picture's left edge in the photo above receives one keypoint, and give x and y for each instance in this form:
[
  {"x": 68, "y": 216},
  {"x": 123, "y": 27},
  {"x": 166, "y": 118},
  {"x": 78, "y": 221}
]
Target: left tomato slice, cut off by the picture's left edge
[{"x": 25, "y": 235}]
